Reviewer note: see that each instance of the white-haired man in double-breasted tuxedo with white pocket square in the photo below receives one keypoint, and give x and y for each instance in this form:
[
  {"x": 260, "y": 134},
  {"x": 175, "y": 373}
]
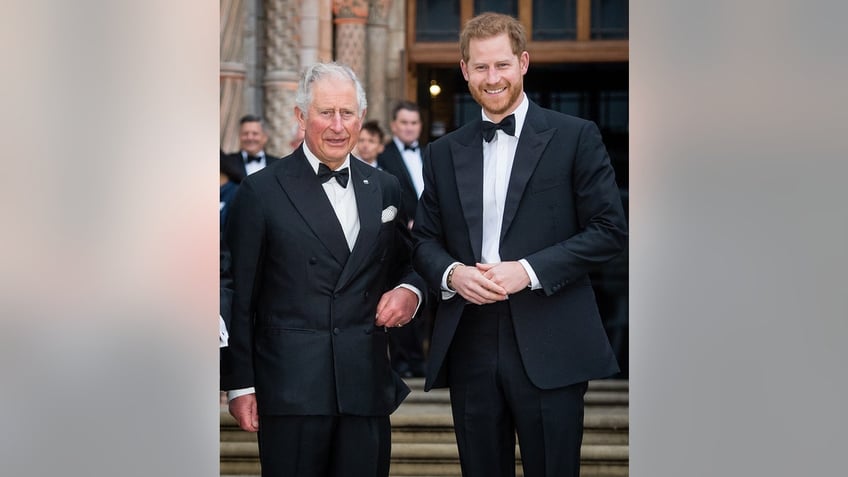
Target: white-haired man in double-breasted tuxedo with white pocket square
[{"x": 321, "y": 266}]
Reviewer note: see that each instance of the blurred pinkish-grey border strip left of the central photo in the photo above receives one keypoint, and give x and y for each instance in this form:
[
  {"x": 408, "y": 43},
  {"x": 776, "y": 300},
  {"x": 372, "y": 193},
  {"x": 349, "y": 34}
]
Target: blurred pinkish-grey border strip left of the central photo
[{"x": 109, "y": 289}]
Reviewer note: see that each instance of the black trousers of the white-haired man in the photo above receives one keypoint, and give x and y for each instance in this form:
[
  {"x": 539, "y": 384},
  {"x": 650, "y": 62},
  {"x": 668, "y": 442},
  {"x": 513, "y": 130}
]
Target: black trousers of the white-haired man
[{"x": 324, "y": 446}]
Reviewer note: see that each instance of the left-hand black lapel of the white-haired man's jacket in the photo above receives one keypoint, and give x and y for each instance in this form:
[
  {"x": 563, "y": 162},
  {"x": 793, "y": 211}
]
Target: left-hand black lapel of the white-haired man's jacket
[{"x": 301, "y": 185}]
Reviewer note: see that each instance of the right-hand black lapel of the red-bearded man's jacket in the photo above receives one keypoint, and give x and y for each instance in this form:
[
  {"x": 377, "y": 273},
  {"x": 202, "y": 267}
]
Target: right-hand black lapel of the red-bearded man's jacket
[{"x": 531, "y": 144}]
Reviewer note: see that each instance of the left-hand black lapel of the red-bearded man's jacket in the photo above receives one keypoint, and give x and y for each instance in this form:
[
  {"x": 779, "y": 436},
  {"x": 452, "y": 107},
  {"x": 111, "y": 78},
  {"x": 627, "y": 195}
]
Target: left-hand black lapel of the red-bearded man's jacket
[{"x": 468, "y": 164}]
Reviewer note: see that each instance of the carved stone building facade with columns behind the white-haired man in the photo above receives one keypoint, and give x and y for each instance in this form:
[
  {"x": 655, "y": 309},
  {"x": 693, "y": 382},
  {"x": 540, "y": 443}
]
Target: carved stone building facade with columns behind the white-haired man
[{"x": 265, "y": 44}]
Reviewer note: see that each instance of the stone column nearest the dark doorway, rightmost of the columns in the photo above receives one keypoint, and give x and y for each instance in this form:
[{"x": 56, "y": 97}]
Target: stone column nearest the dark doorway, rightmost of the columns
[{"x": 377, "y": 47}]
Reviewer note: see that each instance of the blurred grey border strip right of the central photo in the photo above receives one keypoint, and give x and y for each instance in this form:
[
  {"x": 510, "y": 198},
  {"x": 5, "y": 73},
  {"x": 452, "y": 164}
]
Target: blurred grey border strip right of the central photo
[{"x": 739, "y": 310}]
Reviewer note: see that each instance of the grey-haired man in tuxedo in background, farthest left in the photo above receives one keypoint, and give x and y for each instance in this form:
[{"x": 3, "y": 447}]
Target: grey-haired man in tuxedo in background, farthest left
[{"x": 251, "y": 157}]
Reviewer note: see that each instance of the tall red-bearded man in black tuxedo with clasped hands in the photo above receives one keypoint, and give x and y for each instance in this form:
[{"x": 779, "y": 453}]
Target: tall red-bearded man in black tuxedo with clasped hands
[{"x": 518, "y": 207}]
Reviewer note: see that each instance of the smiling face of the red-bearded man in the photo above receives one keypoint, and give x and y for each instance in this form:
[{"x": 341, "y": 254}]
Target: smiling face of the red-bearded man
[{"x": 495, "y": 75}]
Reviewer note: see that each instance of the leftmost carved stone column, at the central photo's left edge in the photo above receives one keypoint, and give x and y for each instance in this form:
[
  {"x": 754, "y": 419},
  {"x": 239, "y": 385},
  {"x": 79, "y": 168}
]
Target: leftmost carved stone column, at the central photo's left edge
[{"x": 233, "y": 72}]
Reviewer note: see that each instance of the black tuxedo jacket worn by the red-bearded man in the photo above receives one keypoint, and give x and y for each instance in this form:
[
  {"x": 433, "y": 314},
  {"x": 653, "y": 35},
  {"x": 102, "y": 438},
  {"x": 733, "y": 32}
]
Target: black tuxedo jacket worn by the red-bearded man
[{"x": 563, "y": 214}]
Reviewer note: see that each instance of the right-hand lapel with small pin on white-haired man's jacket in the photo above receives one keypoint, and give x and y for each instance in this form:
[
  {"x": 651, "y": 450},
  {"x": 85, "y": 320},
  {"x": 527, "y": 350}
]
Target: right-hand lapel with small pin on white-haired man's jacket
[{"x": 369, "y": 207}]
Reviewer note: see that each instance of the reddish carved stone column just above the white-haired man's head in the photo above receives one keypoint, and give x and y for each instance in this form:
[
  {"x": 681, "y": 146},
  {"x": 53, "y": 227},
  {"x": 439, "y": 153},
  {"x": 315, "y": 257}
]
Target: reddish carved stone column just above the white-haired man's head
[{"x": 350, "y": 19}]
